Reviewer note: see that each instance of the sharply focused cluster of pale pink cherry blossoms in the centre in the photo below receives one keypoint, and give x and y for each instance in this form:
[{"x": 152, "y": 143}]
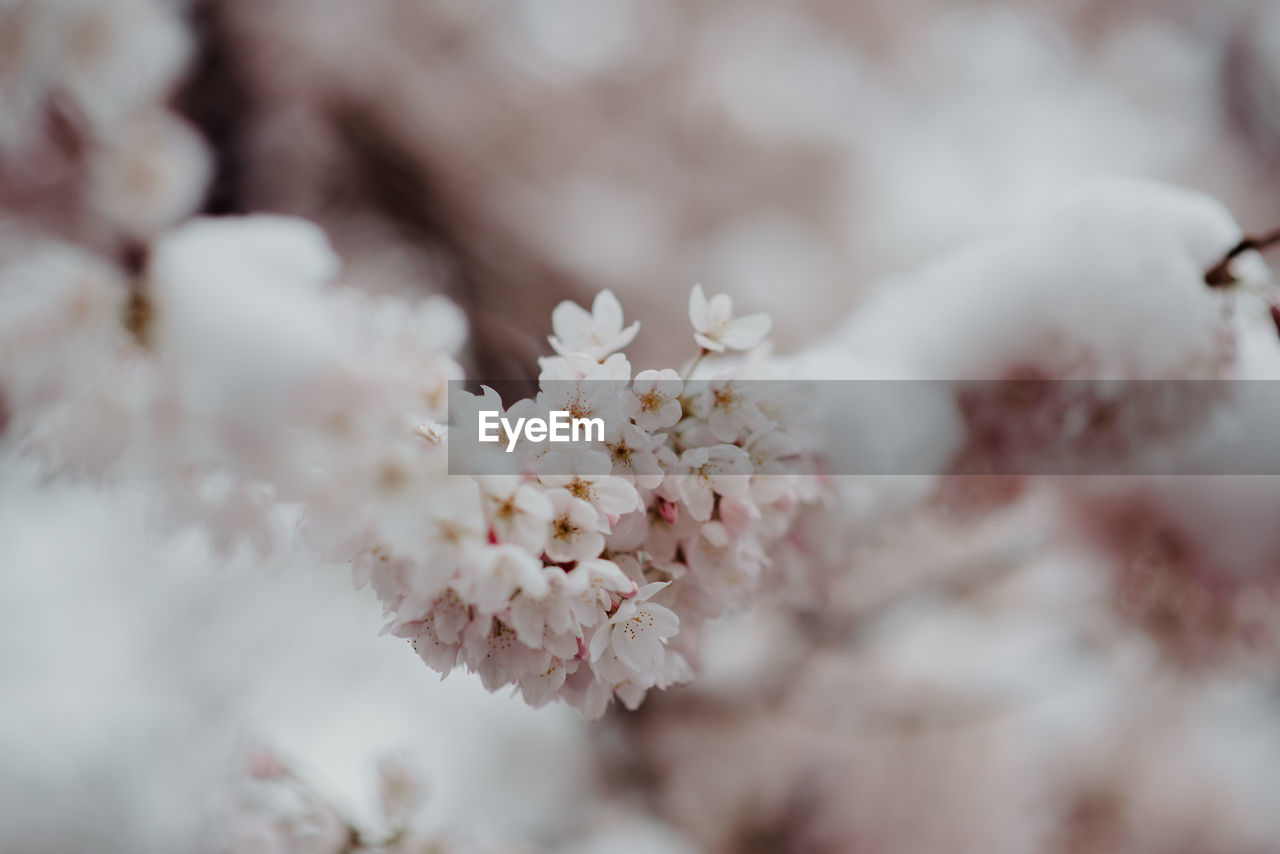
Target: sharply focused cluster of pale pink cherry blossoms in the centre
[{"x": 584, "y": 576}]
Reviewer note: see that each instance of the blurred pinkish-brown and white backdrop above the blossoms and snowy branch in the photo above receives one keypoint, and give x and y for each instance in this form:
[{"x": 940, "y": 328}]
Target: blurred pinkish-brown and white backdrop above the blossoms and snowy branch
[{"x": 518, "y": 153}]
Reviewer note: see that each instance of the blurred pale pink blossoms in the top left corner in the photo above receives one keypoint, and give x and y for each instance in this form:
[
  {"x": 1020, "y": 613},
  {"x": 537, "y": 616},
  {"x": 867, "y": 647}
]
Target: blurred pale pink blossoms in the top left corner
[{"x": 89, "y": 147}]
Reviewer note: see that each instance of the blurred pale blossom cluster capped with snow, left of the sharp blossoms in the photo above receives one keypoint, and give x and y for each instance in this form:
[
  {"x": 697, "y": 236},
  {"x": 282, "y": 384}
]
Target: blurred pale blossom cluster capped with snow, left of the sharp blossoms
[{"x": 228, "y": 373}]
